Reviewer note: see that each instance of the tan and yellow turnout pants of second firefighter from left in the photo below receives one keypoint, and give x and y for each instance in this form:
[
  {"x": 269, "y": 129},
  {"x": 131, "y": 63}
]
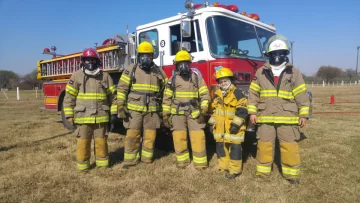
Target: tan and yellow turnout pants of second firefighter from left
[{"x": 134, "y": 124}]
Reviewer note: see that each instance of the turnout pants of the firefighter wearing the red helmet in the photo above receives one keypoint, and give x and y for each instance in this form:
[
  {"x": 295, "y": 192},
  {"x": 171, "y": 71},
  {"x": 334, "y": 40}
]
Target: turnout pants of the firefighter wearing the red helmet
[{"x": 84, "y": 135}]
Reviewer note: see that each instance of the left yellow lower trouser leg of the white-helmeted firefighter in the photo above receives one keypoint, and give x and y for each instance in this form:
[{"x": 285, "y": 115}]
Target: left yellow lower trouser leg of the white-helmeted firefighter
[{"x": 264, "y": 158}]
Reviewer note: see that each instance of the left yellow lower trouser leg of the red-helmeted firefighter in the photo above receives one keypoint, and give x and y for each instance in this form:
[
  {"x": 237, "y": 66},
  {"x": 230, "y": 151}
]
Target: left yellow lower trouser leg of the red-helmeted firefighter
[{"x": 83, "y": 154}]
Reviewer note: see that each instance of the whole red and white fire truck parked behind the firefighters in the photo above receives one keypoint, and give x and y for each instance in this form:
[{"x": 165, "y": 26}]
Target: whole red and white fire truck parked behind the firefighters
[{"x": 214, "y": 34}]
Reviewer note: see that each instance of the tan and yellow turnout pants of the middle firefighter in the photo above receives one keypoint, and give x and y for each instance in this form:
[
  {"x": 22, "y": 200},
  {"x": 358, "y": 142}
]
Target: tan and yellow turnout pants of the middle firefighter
[{"x": 197, "y": 138}]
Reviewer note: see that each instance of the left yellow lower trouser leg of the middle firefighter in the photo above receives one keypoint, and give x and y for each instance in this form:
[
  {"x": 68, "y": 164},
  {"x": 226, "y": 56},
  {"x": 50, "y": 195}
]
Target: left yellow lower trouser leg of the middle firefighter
[{"x": 180, "y": 145}]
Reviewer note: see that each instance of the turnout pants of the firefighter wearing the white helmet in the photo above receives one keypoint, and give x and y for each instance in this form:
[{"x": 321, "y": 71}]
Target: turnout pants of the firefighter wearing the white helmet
[{"x": 289, "y": 149}]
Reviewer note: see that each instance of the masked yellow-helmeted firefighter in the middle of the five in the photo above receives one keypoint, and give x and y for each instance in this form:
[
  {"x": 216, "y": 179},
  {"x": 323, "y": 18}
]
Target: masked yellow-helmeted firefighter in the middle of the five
[{"x": 185, "y": 104}]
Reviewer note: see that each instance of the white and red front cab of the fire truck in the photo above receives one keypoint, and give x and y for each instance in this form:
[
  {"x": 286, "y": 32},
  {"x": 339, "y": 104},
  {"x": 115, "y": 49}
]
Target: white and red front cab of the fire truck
[{"x": 215, "y": 35}]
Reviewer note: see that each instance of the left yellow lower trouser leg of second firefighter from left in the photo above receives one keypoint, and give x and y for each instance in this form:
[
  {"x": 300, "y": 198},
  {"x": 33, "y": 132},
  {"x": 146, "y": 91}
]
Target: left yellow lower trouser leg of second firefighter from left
[{"x": 132, "y": 144}]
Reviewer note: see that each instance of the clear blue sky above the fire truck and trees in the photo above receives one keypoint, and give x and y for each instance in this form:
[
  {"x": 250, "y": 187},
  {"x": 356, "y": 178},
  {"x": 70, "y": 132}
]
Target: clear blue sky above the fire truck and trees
[{"x": 326, "y": 32}]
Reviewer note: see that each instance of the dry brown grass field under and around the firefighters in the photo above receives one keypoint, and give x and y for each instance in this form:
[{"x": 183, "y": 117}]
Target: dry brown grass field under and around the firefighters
[{"x": 37, "y": 162}]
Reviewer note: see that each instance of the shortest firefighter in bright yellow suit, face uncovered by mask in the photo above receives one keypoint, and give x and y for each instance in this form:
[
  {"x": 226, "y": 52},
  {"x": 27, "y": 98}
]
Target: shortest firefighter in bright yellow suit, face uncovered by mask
[{"x": 228, "y": 123}]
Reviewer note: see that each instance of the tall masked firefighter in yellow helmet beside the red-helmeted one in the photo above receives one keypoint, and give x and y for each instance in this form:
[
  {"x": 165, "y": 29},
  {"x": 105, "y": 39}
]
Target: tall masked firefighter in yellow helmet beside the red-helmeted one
[{"x": 139, "y": 104}]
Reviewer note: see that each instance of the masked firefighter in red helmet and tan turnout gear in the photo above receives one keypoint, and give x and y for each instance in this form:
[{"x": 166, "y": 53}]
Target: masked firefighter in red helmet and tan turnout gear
[{"x": 89, "y": 100}]
